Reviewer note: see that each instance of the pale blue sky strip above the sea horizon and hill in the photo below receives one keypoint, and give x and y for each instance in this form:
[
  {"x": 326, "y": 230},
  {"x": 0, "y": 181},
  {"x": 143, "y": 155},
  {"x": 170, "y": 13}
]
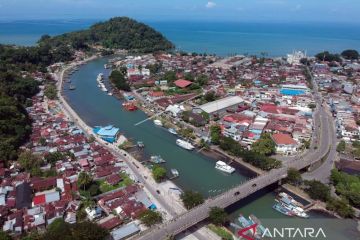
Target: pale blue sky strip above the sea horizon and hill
[{"x": 164, "y": 10}]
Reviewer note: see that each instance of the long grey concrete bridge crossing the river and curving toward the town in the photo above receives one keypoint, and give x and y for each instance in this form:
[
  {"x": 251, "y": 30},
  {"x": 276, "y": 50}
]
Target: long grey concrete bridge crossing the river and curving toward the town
[{"x": 188, "y": 219}]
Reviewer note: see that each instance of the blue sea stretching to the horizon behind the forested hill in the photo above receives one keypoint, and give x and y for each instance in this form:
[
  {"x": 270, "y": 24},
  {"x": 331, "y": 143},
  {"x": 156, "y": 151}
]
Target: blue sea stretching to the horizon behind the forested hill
[{"x": 221, "y": 38}]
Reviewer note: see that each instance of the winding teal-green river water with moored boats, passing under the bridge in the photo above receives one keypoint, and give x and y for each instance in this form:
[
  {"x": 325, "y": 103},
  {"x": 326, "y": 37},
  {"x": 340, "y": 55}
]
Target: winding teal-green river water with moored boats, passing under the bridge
[{"x": 196, "y": 170}]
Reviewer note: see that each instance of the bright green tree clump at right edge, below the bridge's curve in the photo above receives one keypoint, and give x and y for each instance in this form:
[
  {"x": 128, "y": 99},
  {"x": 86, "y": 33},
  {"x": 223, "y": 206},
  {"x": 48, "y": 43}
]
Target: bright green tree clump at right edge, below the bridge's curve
[{"x": 347, "y": 186}]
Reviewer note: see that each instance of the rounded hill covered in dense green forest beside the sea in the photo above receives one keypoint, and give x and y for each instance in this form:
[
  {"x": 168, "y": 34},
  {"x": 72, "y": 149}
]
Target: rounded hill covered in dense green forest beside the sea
[{"x": 119, "y": 32}]
